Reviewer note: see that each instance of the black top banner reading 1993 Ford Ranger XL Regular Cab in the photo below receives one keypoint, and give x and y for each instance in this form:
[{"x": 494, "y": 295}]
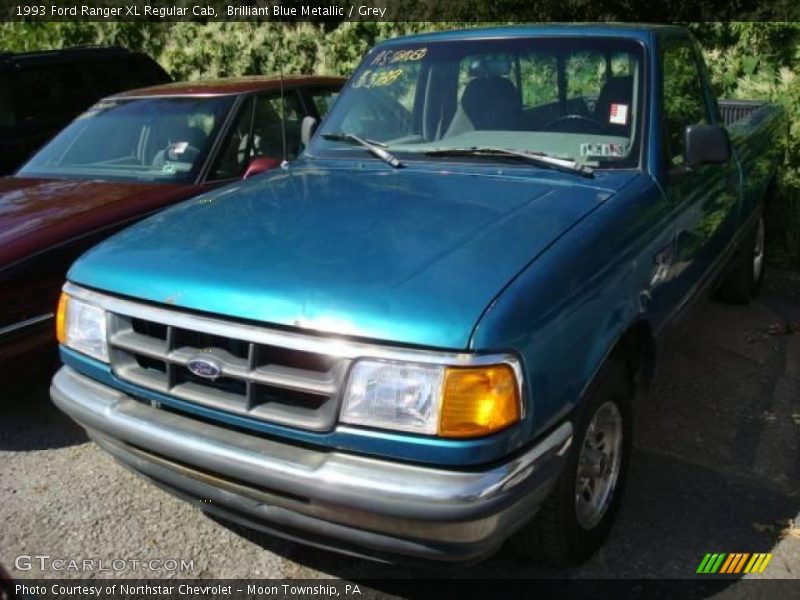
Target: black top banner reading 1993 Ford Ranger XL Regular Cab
[{"x": 467, "y": 11}]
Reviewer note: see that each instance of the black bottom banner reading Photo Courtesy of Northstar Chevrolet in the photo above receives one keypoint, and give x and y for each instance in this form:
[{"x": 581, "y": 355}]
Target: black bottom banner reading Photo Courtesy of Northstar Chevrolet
[{"x": 440, "y": 589}]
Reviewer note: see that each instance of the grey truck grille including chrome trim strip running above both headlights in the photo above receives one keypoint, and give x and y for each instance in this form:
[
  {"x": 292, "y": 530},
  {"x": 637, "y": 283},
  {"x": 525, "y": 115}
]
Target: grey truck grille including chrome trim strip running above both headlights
[{"x": 270, "y": 374}]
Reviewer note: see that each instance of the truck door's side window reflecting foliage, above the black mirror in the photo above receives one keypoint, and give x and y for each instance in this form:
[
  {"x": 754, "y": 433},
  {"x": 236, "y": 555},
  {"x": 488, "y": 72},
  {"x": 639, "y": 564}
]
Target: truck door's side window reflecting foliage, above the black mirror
[{"x": 684, "y": 102}]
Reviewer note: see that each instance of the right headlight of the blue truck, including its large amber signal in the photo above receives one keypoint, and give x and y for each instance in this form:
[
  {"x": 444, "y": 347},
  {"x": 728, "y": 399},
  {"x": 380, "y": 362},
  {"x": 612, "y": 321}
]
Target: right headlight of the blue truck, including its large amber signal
[{"x": 432, "y": 399}]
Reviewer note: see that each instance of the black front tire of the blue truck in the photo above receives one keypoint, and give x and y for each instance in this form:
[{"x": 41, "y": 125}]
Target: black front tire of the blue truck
[{"x": 563, "y": 533}]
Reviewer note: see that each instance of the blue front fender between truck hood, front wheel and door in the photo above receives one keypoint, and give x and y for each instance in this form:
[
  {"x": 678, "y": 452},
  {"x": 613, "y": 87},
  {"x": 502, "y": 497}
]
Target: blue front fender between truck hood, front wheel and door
[{"x": 567, "y": 311}]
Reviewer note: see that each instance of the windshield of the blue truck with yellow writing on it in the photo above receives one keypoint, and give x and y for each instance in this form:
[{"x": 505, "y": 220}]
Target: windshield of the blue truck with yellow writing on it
[{"x": 577, "y": 99}]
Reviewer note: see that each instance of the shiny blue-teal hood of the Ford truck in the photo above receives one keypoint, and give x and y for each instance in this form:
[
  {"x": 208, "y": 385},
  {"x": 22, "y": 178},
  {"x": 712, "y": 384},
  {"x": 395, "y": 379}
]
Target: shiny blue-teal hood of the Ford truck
[{"x": 409, "y": 255}]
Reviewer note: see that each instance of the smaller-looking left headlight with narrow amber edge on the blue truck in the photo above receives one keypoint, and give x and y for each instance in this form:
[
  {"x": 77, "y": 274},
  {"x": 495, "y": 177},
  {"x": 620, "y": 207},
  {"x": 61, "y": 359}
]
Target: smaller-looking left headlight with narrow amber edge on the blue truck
[{"x": 82, "y": 327}]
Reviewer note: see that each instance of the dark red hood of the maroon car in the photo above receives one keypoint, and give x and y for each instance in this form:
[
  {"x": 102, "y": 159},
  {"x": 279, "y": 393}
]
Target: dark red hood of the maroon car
[{"x": 37, "y": 214}]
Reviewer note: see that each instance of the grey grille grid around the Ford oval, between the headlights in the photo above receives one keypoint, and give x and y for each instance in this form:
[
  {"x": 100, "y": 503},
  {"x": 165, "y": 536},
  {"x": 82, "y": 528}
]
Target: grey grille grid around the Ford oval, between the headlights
[{"x": 272, "y": 383}]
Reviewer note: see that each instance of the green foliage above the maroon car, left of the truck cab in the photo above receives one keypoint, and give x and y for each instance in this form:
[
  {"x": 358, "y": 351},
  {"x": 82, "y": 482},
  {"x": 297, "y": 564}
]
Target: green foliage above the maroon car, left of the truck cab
[{"x": 191, "y": 50}]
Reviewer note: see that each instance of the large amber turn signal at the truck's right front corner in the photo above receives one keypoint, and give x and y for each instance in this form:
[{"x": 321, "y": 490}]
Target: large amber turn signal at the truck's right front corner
[{"x": 479, "y": 401}]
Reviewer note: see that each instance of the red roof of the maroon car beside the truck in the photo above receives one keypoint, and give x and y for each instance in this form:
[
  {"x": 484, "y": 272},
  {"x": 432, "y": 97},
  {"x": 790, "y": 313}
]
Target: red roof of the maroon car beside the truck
[{"x": 228, "y": 86}]
